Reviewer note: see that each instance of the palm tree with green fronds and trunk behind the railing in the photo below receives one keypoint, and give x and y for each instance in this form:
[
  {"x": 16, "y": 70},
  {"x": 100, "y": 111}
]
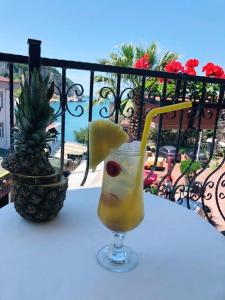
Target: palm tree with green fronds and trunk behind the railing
[{"x": 126, "y": 56}]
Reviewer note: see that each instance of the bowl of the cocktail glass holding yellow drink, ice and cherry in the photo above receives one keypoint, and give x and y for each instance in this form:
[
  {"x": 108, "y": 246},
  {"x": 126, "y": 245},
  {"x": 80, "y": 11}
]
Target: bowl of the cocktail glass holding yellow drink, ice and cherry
[{"x": 121, "y": 205}]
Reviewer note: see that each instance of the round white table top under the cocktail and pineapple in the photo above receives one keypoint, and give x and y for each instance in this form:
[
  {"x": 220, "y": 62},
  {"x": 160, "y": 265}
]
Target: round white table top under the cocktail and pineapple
[{"x": 181, "y": 256}]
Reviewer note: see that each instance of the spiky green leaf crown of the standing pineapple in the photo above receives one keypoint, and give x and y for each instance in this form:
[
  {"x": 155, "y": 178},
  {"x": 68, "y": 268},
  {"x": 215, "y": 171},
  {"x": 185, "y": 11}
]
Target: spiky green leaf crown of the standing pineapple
[{"x": 33, "y": 115}]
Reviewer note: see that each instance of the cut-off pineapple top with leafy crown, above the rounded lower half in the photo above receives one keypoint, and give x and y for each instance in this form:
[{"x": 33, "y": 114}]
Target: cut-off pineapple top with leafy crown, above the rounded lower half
[{"x": 33, "y": 115}]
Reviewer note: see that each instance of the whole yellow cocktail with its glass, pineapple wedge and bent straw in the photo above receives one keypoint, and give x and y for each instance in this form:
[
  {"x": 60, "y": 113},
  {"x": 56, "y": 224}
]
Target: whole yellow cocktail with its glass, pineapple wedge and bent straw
[{"x": 121, "y": 205}]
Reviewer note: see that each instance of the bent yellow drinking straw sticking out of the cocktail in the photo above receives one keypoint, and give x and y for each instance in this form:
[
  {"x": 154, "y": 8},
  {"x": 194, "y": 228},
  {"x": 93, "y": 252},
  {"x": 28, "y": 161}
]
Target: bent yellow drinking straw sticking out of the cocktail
[{"x": 158, "y": 111}]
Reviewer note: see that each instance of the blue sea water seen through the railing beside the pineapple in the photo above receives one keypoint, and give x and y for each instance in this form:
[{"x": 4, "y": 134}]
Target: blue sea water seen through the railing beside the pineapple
[{"x": 77, "y": 122}]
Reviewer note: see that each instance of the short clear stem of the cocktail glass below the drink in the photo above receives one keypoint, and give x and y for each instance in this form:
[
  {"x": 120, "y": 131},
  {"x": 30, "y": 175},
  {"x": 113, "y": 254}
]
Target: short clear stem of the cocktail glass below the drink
[{"x": 118, "y": 254}]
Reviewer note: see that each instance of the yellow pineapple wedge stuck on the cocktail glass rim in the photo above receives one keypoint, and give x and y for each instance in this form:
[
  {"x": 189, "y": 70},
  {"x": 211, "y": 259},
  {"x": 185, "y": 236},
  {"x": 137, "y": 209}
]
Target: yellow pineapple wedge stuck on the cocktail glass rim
[{"x": 104, "y": 136}]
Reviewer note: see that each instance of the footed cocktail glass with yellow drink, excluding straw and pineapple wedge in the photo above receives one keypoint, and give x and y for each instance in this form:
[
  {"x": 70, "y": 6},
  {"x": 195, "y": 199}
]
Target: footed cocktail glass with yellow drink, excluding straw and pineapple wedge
[{"x": 121, "y": 207}]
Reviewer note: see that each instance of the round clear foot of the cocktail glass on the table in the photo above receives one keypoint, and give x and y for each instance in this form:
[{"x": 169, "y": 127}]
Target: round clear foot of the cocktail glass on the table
[{"x": 117, "y": 261}]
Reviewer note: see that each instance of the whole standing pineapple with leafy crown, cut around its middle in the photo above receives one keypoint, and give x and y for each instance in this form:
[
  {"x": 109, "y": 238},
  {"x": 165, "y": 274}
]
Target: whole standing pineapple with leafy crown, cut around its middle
[{"x": 38, "y": 190}]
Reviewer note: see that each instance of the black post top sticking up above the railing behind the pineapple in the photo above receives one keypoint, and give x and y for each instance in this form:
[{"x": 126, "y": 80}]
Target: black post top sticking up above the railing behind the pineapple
[{"x": 34, "y": 55}]
